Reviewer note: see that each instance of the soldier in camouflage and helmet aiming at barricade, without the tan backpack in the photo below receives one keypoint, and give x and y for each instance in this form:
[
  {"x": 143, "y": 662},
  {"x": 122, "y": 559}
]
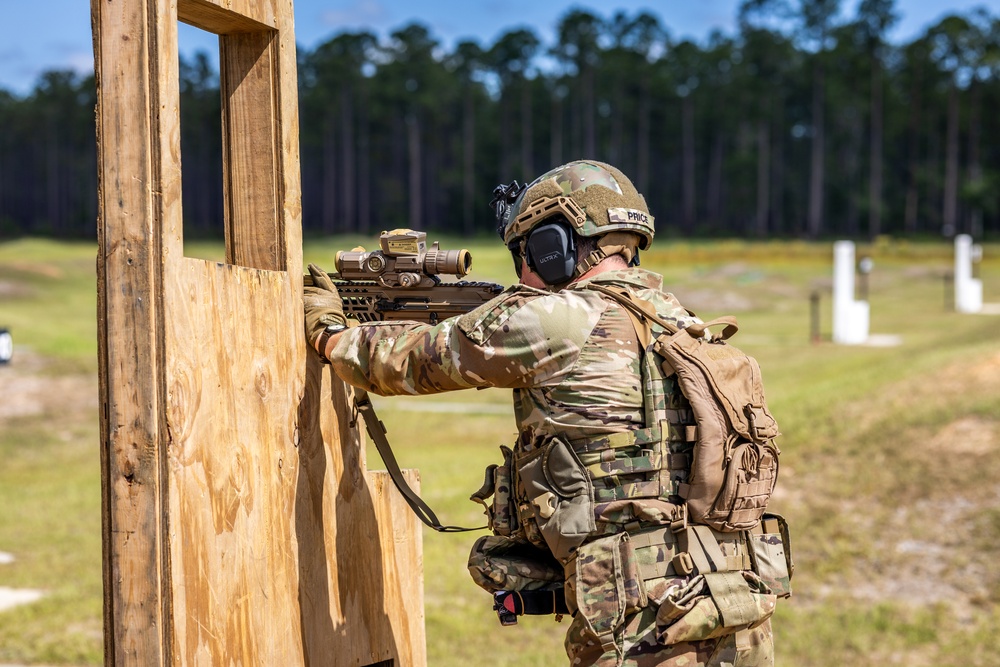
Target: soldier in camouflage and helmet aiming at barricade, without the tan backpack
[{"x": 589, "y": 490}]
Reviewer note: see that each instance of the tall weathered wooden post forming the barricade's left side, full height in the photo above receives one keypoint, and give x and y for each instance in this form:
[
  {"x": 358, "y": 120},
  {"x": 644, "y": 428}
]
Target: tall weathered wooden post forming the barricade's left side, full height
[{"x": 139, "y": 188}]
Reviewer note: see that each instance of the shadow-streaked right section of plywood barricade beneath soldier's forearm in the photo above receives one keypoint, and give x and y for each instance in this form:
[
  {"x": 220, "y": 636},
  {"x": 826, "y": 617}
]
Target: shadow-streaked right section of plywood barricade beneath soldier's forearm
[{"x": 359, "y": 543}]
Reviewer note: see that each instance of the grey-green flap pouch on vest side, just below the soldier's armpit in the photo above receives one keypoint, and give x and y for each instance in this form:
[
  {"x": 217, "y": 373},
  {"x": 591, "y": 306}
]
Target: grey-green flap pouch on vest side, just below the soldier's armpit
[{"x": 560, "y": 494}]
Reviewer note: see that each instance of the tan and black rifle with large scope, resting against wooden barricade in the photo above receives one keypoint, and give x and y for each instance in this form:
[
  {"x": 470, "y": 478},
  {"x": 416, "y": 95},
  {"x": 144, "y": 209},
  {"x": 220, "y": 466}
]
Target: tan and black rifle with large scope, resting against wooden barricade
[{"x": 401, "y": 280}]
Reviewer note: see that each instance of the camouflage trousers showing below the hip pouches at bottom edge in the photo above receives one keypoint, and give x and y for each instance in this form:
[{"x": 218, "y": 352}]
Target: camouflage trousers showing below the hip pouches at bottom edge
[{"x": 639, "y": 647}]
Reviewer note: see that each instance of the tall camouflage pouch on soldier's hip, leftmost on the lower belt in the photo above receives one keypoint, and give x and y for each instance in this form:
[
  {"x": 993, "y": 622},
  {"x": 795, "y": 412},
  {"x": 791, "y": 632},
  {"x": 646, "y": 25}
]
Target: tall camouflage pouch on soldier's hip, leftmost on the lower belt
[{"x": 604, "y": 584}]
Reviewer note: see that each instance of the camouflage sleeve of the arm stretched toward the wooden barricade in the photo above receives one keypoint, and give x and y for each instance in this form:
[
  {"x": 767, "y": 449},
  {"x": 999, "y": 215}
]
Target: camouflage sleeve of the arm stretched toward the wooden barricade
[{"x": 523, "y": 338}]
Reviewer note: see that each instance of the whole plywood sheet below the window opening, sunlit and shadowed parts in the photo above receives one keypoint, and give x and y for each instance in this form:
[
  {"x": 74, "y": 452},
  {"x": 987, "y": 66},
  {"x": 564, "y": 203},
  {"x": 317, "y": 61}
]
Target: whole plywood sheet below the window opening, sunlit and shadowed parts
[{"x": 277, "y": 523}]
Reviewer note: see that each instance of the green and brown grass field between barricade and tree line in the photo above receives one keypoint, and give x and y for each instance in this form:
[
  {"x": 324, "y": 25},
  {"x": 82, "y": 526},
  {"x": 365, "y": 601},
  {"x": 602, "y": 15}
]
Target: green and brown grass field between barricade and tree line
[{"x": 890, "y": 475}]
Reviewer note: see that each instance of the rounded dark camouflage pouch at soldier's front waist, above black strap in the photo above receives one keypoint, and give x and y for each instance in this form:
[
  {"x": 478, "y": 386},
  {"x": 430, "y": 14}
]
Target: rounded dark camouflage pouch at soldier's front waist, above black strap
[{"x": 499, "y": 563}]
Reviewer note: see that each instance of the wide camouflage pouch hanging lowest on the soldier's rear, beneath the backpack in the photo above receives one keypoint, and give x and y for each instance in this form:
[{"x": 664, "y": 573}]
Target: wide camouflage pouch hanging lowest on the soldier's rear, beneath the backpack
[{"x": 713, "y": 605}]
